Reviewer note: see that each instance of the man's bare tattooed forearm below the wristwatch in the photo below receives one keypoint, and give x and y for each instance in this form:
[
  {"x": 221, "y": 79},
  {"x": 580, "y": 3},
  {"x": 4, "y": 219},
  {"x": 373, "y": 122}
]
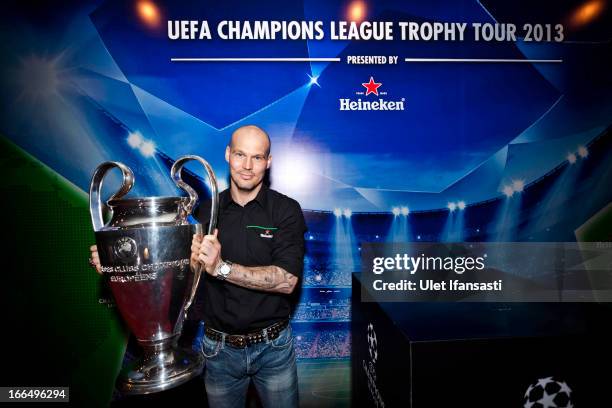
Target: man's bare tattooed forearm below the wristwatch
[{"x": 266, "y": 278}]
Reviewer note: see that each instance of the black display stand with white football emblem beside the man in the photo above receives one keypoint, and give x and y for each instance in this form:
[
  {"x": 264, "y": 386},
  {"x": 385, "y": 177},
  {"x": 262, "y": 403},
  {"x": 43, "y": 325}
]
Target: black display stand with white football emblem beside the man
[{"x": 478, "y": 354}]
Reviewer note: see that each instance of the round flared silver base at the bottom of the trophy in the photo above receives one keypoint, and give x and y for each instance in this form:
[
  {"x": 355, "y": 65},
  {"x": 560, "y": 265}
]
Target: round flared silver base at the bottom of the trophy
[{"x": 160, "y": 371}]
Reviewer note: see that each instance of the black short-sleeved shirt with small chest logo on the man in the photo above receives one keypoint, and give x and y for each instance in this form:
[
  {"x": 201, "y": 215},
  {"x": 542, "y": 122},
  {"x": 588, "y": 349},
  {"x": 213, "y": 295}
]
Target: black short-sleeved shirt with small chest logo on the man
[{"x": 268, "y": 230}]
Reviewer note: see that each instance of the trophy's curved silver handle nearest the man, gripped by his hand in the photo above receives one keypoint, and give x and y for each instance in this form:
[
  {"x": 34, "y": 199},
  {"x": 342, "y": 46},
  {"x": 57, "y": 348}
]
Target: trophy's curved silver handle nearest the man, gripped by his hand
[{"x": 175, "y": 172}]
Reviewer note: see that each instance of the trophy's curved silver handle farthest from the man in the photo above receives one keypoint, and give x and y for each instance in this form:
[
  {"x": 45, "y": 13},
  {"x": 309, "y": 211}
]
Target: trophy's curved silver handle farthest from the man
[{"x": 95, "y": 201}]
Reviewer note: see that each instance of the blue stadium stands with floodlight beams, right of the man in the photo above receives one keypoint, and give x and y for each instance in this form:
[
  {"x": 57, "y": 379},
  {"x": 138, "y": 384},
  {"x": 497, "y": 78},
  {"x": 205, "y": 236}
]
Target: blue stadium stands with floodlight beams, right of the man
[{"x": 549, "y": 209}]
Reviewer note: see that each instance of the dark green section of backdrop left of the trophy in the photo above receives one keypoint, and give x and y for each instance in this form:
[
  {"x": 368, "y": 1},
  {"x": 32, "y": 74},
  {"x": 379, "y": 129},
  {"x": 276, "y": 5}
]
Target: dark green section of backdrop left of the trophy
[{"x": 63, "y": 332}]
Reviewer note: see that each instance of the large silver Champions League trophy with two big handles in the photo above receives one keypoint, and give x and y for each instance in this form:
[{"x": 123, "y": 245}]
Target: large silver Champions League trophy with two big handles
[{"x": 145, "y": 251}]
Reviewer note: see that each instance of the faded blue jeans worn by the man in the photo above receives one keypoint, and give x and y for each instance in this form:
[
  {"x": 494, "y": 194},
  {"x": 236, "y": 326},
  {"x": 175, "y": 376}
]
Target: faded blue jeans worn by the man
[{"x": 271, "y": 365}]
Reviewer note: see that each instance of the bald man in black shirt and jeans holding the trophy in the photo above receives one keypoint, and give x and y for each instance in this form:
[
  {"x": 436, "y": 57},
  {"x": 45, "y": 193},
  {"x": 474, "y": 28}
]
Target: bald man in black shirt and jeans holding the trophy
[{"x": 253, "y": 261}]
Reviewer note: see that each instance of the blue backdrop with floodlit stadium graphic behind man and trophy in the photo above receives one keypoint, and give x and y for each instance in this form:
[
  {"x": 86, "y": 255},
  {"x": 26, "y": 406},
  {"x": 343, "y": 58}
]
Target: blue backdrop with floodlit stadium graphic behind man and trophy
[{"x": 481, "y": 151}]
